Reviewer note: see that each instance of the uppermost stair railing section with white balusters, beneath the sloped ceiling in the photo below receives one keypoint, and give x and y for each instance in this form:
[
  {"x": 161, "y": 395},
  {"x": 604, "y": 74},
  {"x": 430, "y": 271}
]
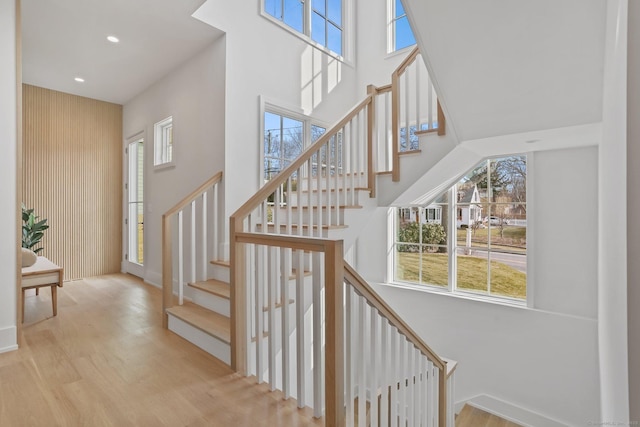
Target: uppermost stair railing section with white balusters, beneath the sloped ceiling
[{"x": 415, "y": 108}]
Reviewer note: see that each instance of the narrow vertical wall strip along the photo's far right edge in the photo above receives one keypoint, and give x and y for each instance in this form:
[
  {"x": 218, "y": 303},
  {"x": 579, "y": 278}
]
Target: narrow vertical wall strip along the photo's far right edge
[{"x": 633, "y": 207}]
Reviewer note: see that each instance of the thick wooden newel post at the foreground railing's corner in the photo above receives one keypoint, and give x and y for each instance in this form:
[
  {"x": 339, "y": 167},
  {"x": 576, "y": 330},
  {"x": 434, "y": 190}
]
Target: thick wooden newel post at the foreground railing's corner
[{"x": 334, "y": 315}]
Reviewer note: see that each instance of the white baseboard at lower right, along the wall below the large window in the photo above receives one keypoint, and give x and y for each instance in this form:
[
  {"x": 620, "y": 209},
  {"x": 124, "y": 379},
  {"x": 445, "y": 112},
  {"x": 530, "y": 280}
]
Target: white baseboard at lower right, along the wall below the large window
[{"x": 509, "y": 411}]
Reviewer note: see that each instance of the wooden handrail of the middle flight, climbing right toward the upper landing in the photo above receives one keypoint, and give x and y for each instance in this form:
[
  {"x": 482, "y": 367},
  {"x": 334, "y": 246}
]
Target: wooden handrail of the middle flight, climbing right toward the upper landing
[{"x": 275, "y": 182}]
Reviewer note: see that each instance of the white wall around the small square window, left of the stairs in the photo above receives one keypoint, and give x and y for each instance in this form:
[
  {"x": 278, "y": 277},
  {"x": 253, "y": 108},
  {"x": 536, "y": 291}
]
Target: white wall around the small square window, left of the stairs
[{"x": 194, "y": 95}]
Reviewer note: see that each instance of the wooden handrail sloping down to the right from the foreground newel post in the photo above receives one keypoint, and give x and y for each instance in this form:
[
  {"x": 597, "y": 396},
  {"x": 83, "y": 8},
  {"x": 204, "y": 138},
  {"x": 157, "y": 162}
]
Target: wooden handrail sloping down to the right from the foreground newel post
[{"x": 374, "y": 299}]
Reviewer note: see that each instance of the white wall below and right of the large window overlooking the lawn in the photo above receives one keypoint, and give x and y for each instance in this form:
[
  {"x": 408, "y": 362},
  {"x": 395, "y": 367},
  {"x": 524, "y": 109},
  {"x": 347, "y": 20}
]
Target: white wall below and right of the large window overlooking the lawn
[{"x": 543, "y": 359}]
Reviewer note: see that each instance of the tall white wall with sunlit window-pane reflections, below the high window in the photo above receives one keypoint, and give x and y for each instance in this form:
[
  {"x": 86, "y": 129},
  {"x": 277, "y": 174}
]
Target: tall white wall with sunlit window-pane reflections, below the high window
[{"x": 264, "y": 59}]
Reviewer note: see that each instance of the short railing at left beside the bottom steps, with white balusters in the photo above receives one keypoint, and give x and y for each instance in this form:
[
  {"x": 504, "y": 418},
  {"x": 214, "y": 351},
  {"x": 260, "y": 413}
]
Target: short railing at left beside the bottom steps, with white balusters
[{"x": 200, "y": 211}]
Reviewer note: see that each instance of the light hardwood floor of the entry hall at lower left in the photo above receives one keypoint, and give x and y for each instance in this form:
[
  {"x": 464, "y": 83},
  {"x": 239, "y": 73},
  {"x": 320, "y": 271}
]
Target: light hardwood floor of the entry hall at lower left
[{"x": 106, "y": 361}]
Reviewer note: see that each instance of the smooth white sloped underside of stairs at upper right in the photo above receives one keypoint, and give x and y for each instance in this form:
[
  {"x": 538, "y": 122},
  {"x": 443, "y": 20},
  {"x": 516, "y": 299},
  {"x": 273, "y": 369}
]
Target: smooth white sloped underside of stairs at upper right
[{"x": 506, "y": 67}]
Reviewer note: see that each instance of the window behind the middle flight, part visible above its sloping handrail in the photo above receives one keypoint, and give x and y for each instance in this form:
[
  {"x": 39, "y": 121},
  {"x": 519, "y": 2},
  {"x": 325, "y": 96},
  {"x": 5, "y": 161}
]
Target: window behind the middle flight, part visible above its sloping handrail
[{"x": 285, "y": 137}]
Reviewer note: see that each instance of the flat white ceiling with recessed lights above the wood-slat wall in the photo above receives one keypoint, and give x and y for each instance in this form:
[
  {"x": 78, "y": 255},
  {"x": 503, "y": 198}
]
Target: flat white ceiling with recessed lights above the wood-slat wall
[{"x": 64, "y": 39}]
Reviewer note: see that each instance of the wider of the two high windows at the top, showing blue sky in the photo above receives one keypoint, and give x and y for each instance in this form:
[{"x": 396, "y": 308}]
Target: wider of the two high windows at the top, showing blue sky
[{"x": 320, "y": 20}]
